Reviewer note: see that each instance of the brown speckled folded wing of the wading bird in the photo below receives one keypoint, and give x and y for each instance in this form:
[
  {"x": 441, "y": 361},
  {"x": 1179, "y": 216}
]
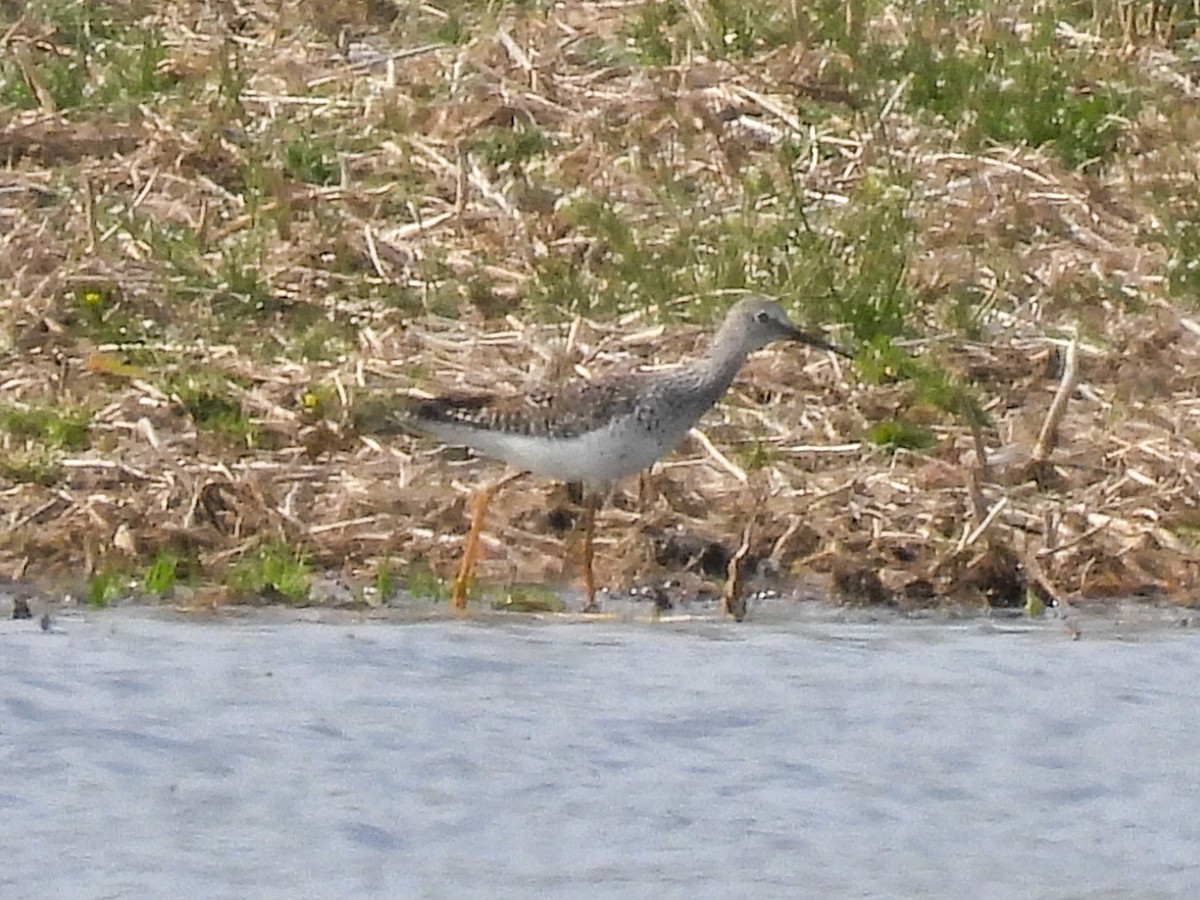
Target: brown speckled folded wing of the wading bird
[{"x": 566, "y": 412}]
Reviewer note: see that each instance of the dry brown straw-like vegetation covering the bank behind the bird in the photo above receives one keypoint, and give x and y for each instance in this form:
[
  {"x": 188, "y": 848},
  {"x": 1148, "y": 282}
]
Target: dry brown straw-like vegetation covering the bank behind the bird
[{"x": 298, "y": 212}]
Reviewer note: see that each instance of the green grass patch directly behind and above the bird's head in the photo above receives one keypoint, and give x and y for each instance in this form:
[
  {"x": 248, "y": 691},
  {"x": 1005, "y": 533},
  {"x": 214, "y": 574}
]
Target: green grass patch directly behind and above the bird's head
[{"x": 848, "y": 265}]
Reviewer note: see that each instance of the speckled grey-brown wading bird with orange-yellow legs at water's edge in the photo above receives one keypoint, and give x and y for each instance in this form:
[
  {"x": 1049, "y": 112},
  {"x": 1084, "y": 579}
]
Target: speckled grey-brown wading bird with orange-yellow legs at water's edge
[{"x": 599, "y": 431}]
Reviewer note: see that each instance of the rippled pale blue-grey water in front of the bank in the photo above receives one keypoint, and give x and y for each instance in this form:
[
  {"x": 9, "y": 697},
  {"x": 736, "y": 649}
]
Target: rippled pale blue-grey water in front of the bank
[{"x": 146, "y": 758}]
